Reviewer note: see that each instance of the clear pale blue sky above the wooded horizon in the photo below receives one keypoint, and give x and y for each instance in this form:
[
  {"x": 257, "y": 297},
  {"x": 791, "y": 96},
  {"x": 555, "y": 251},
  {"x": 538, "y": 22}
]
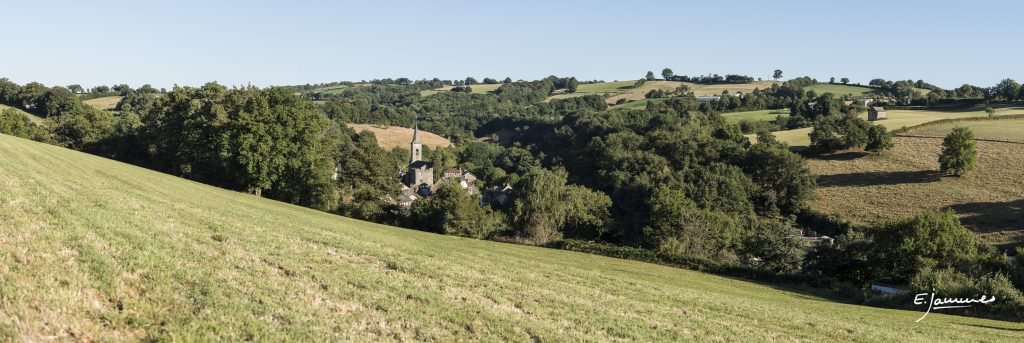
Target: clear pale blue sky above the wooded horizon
[{"x": 293, "y": 42}]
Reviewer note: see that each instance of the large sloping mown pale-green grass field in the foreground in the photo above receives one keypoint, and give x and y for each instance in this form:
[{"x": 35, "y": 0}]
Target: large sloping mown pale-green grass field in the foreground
[{"x": 97, "y": 250}]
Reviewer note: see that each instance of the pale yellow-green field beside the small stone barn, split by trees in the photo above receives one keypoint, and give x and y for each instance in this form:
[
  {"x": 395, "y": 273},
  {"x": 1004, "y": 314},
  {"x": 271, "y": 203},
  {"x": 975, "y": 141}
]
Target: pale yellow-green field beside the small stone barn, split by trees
[{"x": 900, "y": 119}]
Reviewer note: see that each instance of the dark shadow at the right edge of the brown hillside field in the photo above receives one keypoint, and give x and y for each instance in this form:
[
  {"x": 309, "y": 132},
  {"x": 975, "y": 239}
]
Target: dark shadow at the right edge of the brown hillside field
[{"x": 994, "y": 217}]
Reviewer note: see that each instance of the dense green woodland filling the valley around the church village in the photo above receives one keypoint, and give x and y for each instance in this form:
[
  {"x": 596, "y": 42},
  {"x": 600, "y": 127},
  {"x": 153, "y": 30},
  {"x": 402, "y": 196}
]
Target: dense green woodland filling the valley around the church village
[{"x": 673, "y": 181}]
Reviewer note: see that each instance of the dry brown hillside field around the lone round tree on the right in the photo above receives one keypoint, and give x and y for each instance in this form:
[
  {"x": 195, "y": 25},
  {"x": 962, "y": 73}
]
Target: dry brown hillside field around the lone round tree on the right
[{"x": 869, "y": 189}]
